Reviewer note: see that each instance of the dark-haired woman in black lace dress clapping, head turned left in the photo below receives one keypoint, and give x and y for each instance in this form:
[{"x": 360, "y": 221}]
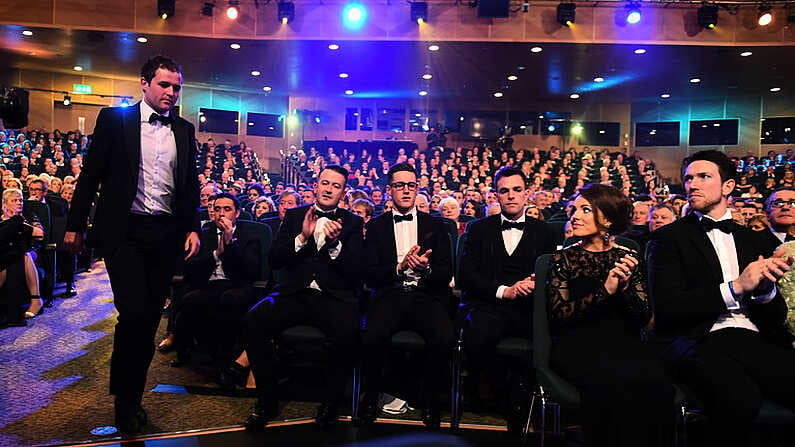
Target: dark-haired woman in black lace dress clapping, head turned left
[{"x": 598, "y": 306}]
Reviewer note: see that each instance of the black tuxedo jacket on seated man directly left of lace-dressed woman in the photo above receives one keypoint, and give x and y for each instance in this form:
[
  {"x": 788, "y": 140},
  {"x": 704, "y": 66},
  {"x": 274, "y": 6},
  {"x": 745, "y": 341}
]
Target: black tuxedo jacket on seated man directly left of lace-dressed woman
[{"x": 484, "y": 255}]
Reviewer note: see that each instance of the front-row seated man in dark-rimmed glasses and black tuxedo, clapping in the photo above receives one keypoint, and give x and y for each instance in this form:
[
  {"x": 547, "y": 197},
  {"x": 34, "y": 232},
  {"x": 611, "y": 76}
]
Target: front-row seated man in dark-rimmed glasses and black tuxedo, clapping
[{"x": 409, "y": 269}]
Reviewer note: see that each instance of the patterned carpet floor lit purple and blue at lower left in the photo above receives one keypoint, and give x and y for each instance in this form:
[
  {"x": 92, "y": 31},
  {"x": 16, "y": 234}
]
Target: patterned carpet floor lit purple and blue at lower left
[{"x": 54, "y": 379}]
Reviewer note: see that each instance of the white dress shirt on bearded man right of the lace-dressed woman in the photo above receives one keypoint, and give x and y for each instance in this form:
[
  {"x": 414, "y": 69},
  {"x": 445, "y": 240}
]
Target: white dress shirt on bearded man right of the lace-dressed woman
[{"x": 736, "y": 314}]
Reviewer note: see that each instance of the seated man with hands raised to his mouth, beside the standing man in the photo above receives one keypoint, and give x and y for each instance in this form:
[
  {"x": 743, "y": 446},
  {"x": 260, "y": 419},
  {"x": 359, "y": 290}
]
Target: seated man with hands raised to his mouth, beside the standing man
[{"x": 221, "y": 277}]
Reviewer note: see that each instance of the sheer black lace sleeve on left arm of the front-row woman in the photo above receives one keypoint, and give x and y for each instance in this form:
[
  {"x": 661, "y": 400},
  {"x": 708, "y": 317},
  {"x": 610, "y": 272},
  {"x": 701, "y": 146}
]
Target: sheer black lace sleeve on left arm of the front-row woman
[{"x": 570, "y": 294}]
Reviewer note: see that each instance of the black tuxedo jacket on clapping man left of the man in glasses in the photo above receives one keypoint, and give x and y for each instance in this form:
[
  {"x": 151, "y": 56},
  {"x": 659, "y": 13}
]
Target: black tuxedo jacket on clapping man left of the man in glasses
[{"x": 295, "y": 271}]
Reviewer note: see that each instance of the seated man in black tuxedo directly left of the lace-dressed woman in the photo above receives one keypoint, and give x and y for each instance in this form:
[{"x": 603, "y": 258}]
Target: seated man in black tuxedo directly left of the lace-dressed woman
[{"x": 497, "y": 280}]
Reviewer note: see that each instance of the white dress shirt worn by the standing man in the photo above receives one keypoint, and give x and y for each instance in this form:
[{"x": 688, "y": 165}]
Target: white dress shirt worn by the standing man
[{"x": 157, "y": 166}]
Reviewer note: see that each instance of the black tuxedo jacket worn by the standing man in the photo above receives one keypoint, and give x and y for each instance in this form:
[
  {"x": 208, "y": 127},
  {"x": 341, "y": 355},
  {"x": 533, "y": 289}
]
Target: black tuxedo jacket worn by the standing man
[{"x": 111, "y": 167}]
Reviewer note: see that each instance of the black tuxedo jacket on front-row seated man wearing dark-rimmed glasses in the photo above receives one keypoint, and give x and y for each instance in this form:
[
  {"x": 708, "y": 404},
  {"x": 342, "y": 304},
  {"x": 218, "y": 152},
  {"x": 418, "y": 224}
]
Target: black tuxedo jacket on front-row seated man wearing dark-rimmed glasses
[{"x": 382, "y": 255}]
